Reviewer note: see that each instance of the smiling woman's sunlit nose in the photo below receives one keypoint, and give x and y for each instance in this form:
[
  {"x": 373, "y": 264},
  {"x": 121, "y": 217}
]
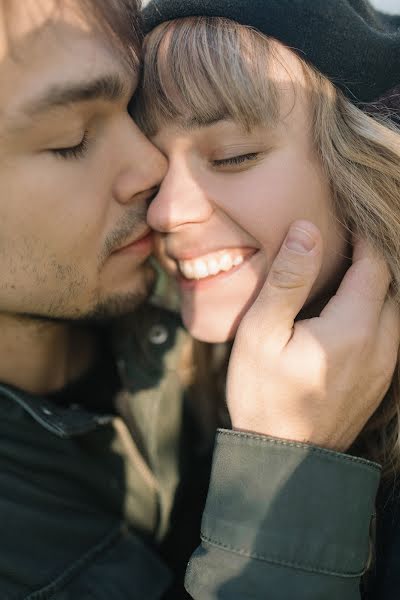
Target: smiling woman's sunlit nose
[{"x": 180, "y": 200}]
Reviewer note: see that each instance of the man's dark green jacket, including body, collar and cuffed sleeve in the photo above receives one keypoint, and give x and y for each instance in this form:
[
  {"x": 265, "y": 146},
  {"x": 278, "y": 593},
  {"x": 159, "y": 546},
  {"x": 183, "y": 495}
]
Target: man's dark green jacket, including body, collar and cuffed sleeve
[{"x": 103, "y": 506}]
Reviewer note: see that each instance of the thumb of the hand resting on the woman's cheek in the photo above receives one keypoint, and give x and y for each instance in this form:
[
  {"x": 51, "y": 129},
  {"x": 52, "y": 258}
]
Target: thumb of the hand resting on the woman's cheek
[{"x": 290, "y": 278}]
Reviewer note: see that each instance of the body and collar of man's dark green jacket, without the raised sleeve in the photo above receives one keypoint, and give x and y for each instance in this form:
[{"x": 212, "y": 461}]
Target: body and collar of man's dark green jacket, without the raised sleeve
[{"x": 78, "y": 517}]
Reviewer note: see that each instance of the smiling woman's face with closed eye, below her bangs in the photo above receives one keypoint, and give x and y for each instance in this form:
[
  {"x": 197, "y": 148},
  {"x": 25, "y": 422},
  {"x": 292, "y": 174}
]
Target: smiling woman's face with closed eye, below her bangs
[{"x": 226, "y": 204}]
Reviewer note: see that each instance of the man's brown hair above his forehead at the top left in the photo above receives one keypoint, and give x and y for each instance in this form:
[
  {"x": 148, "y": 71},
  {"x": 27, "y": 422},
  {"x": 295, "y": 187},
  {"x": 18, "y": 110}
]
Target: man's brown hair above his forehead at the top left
[{"x": 118, "y": 20}]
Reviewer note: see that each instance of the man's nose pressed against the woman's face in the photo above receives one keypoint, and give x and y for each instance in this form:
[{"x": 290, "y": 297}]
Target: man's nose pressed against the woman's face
[{"x": 142, "y": 165}]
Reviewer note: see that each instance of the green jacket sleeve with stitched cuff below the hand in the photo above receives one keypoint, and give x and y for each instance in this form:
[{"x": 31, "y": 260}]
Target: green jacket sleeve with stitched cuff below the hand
[{"x": 283, "y": 520}]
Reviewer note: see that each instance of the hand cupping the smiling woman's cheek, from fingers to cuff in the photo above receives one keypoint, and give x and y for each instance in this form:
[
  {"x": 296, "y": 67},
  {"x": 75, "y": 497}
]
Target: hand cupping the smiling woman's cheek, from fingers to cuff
[{"x": 317, "y": 380}]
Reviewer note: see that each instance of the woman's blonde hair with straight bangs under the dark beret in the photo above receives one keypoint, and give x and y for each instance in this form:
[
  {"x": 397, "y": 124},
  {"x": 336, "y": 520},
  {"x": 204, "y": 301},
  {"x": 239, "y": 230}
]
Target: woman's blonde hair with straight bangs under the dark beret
[{"x": 200, "y": 68}]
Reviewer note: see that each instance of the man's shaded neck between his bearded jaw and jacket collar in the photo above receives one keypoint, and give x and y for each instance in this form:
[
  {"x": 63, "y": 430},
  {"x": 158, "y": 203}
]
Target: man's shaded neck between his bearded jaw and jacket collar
[{"x": 42, "y": 357}]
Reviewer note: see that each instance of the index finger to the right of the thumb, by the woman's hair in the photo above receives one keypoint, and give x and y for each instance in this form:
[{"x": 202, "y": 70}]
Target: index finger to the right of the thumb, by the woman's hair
[{"x": 363, "y": 290}]
